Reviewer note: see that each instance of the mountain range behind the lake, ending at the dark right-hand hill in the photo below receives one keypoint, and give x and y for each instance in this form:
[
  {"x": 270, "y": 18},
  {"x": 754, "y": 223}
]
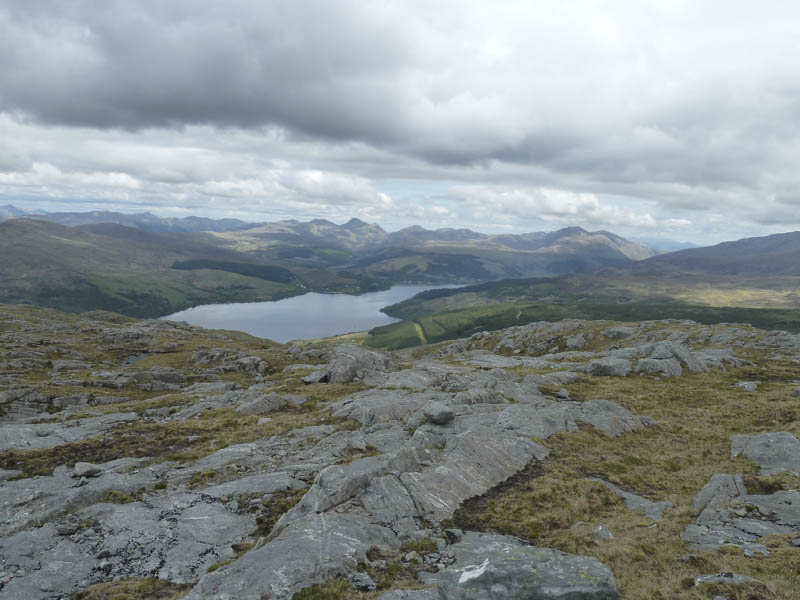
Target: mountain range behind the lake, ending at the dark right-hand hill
[{"x": 145, "y": 265}]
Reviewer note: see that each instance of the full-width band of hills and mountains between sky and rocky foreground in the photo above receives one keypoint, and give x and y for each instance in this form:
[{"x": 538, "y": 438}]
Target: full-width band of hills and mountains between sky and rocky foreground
[{"x": 144, "y": 265}]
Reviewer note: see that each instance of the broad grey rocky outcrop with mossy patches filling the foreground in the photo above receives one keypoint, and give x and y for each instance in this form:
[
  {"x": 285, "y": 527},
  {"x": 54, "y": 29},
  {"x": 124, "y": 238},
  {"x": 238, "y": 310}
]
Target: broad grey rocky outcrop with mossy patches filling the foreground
[{"x": 322, "y": 484}]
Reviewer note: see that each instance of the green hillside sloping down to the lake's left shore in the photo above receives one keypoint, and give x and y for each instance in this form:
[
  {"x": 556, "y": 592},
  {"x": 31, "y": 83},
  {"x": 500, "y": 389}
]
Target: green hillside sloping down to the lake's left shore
[{"x": 118, "y": 269}]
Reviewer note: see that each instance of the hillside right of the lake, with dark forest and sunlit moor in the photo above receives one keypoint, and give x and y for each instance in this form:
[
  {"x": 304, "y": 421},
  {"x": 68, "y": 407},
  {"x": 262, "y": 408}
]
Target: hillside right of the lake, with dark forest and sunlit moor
[{"x": 754, "y": 280}]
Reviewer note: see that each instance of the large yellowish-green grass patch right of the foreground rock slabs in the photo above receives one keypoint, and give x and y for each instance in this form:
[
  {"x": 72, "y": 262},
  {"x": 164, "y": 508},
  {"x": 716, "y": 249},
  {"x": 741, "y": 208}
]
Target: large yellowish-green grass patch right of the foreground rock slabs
[{"x": 696, "y": 415}]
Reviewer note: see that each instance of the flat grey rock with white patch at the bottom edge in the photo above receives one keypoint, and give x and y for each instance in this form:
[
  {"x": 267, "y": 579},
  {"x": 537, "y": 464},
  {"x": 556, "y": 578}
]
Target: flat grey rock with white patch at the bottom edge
[{"x": 491, "y": 566}]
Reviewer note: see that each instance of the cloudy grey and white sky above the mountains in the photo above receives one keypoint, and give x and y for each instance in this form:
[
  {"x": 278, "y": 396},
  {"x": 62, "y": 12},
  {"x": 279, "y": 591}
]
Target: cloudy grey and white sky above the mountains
[{"x": 660, "y": 119}]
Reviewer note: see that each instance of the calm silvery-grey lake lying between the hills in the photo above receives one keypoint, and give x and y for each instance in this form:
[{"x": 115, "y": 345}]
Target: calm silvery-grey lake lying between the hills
[{"x": 301, "y": 317}]
